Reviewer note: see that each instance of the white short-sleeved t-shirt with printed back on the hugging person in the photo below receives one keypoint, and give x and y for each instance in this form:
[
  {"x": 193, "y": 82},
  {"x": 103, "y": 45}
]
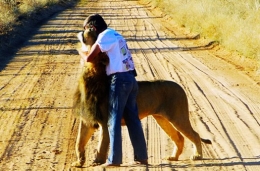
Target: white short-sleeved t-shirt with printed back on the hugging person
[{"x": 120, "y": 59}]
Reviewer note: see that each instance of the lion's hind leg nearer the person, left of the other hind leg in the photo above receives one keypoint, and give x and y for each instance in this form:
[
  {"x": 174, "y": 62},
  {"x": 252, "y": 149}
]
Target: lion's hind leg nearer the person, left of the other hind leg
[{"x": 175, "y": 136}]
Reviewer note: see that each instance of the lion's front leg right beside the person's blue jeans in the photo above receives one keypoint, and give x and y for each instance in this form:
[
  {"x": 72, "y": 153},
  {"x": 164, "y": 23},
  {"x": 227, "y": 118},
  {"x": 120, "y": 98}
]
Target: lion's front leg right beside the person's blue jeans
[{"x": 103, "y": 144}]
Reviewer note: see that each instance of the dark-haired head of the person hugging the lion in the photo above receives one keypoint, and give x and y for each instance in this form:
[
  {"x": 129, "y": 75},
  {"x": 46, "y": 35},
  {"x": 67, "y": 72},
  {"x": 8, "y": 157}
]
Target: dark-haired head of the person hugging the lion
[{"x": 95, "y": 22}]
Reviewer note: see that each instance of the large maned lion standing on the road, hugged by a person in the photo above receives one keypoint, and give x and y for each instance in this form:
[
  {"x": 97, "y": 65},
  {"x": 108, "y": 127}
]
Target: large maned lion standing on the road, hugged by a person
[{"x": 165, "y": 101}]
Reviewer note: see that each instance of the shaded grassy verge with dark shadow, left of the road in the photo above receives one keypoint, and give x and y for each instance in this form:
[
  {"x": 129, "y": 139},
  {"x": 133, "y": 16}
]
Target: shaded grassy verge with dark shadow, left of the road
[{"x": 18, "y": 18}]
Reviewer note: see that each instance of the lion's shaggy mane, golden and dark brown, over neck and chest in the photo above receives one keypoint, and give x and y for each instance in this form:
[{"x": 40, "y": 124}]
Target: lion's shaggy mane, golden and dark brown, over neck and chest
[{"x": 92, "y": 86}]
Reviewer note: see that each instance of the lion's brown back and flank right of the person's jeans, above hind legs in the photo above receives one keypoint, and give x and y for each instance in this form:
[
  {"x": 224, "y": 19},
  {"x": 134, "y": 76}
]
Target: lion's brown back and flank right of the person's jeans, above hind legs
[{"x": 161, "y": 97}]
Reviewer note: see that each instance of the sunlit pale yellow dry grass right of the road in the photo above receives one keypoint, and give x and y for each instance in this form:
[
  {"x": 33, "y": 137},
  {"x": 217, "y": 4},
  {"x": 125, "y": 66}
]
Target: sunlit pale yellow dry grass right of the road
[{"x": 234, "y": 24}]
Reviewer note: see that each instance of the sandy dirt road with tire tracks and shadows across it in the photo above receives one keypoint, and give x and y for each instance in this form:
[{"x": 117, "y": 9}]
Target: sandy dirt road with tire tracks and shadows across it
[{"x": 38, "y": 129}]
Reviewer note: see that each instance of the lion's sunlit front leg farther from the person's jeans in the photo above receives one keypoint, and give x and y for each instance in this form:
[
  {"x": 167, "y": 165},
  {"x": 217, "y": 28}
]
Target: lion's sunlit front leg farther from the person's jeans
[{"x": 84, "y": 134}]
